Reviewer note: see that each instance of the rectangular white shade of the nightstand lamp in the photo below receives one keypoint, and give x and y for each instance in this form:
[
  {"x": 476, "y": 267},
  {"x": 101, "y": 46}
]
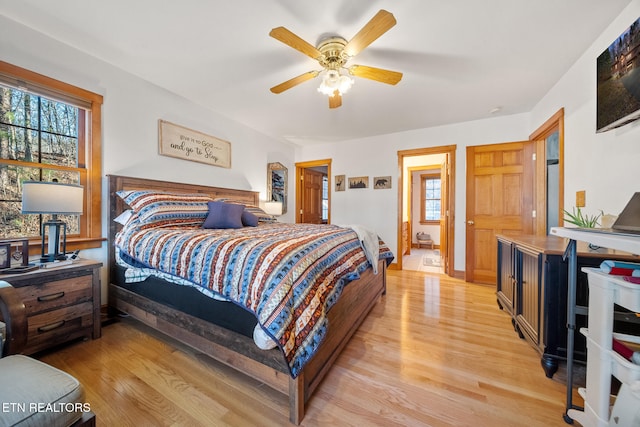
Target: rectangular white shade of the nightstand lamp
[{"x": 52, "y": 198}]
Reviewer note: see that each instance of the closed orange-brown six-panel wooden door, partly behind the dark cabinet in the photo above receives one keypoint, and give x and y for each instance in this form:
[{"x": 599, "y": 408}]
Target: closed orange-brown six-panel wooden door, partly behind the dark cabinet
[{"x": 500, "y": 190}]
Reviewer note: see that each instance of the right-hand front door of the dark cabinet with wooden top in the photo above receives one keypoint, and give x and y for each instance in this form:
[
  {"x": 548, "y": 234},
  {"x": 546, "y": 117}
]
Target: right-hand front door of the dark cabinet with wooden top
[{"x": 528, "y": 264}]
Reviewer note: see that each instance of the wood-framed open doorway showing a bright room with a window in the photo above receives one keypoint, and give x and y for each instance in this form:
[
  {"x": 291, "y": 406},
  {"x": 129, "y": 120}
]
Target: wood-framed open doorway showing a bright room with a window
[{"x": 416, "y": 167}]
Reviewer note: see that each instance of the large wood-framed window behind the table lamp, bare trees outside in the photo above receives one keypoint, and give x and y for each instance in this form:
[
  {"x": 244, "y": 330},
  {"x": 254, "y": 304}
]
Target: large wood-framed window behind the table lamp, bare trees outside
[{"x": 48, "y": 130}]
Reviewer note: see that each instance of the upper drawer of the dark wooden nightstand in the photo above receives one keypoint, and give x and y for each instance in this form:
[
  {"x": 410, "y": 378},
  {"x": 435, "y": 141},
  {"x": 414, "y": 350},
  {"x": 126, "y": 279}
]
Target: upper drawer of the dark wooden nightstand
[{"x": 60, "y": 293}]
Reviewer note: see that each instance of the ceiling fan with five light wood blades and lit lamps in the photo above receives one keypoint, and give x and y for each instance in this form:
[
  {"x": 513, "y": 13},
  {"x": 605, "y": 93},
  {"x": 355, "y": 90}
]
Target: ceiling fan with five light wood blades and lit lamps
[{"x": 333, "y": 54}]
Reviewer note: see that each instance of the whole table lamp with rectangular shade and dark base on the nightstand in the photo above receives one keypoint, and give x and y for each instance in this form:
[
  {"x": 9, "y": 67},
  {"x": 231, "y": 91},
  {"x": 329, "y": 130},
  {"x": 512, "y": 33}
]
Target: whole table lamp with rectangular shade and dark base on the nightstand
[{"x": 56, "y": 199}]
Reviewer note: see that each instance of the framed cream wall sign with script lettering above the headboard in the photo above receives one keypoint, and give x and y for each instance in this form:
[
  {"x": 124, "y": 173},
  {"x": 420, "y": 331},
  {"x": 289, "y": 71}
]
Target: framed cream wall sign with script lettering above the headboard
[{"x": 187, "y": 144}]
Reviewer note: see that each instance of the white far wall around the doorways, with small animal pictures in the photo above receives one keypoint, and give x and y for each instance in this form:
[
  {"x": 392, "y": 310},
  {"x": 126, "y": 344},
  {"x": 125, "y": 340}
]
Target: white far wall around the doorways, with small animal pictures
[{"x": 378, "y": 156}]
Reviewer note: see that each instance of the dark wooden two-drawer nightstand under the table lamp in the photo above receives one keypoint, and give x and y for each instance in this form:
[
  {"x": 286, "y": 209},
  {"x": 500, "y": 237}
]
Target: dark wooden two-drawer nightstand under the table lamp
[{"x": 62, "y": 302}]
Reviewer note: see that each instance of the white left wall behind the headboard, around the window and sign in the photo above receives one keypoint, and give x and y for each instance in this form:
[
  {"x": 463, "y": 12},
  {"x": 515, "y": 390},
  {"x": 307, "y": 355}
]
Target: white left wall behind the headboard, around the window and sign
[{"x": 130, "y": 116}]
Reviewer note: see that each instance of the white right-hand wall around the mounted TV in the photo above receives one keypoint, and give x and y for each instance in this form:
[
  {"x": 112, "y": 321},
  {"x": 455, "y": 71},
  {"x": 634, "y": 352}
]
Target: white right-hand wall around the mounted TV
[{"x": 606, "y": 164}]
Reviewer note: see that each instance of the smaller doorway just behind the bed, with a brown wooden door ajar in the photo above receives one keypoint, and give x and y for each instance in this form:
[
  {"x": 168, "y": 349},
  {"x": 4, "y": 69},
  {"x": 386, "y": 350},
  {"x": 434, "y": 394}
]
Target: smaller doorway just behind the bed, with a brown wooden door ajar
[{"x": 313, "y": 198}]
